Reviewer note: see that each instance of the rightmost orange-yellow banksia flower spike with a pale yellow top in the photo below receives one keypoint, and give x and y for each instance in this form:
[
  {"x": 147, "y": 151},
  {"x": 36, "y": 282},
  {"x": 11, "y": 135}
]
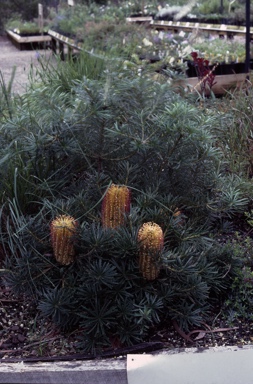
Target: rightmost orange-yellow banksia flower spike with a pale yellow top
[{"x": 151, "y": 239}]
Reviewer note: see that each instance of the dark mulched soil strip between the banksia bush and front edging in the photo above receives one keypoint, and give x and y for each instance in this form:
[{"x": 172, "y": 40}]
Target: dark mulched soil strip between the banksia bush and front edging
[{"x": 27, "y": 337}]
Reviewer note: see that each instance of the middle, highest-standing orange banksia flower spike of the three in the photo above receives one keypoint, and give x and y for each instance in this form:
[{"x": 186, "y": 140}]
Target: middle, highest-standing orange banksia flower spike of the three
[{"x": 115, "y": 204}]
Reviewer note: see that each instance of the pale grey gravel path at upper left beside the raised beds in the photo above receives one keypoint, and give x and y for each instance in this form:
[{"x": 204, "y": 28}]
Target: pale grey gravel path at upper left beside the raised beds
[{"x": 11, "y": 57}]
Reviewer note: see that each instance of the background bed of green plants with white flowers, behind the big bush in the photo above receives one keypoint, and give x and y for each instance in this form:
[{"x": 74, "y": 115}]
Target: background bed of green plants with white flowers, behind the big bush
[{"x": 104, "y": 30}]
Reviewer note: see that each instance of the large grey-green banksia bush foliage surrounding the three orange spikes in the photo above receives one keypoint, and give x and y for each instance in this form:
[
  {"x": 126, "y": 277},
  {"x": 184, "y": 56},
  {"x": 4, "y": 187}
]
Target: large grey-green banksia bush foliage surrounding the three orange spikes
[{"x": 62, "y": 147}]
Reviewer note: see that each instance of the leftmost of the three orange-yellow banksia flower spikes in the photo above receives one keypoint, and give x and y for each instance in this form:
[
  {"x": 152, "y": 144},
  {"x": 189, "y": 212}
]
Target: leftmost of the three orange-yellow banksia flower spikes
[{"x": 62, "y": 230}]
